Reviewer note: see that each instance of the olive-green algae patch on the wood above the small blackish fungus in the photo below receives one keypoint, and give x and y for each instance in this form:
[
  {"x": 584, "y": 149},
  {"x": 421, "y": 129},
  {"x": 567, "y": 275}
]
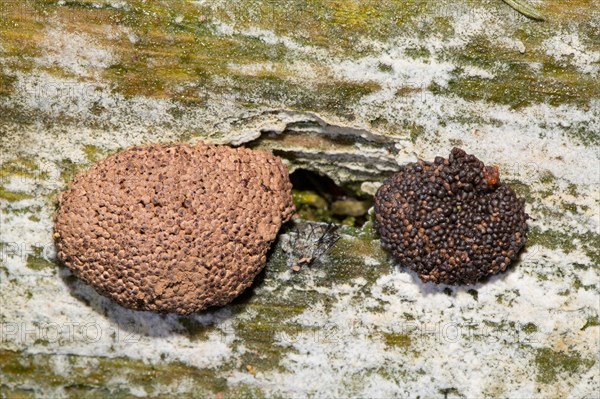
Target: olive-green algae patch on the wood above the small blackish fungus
[{"x": 515, "y": 83}]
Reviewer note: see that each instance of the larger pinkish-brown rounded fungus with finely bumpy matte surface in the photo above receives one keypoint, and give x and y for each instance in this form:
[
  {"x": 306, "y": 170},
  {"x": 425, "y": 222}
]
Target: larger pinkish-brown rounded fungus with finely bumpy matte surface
[{"x": 173, "y": 228}]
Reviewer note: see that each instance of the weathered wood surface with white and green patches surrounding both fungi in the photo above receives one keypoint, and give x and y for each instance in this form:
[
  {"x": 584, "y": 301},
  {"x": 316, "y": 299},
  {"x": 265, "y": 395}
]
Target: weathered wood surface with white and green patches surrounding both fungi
[{"x": 178, "y": 70}]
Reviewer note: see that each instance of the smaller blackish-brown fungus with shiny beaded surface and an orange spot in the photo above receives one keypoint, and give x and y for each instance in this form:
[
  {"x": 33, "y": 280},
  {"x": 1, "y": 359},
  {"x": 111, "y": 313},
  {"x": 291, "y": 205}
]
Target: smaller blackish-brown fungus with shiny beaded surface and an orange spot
[{"x": 451, "y": 221}]
